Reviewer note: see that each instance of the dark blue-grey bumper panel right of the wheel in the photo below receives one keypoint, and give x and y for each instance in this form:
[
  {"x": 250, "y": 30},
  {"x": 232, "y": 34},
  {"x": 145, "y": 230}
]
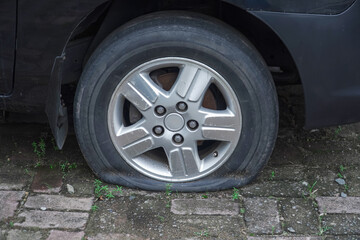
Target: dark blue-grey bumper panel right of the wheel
[{"x": 326, "y": 51}]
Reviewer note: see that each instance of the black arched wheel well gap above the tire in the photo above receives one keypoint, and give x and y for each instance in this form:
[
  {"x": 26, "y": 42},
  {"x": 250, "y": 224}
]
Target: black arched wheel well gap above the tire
[{"x": 108, "y": 16}]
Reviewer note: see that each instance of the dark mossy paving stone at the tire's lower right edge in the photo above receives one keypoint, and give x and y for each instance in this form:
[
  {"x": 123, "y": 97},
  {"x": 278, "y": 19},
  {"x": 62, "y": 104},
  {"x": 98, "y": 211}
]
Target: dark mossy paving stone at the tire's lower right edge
[{"x": 276, "y": 189}]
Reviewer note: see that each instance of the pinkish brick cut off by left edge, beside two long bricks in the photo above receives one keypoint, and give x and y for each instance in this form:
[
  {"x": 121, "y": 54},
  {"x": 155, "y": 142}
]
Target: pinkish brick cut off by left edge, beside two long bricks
[{"x": 8, "y": 203}]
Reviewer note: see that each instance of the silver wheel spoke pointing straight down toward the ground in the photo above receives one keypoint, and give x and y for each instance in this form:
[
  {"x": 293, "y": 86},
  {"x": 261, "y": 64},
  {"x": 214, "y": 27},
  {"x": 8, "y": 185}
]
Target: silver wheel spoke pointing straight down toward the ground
[{"x": 184, "y": 161}]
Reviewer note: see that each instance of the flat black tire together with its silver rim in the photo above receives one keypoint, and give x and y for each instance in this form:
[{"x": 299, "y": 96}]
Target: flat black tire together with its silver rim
[{"x": 176, "y": 97}]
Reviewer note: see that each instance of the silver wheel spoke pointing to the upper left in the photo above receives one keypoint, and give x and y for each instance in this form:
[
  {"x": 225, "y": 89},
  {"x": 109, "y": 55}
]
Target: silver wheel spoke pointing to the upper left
[{"x": 141, "y": 91}]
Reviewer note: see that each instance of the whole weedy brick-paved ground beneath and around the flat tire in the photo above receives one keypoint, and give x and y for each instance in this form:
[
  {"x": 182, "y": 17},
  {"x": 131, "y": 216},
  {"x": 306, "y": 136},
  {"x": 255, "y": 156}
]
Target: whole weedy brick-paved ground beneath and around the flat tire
[{"x": 293, "y": 199}]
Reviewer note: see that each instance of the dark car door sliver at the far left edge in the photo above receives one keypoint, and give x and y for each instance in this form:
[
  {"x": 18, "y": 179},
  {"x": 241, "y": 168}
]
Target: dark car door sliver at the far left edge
[{"x": 7, "y": 44}]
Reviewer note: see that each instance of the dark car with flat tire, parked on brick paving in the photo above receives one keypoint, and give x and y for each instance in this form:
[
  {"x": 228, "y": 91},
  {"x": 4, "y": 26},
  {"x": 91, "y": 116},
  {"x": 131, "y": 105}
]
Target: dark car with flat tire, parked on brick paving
[{"x": 179, "y": 92}]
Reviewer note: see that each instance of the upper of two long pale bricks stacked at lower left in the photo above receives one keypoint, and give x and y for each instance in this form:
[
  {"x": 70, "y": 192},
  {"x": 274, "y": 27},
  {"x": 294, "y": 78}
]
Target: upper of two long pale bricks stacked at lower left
[{"x": 58, "y": 202}]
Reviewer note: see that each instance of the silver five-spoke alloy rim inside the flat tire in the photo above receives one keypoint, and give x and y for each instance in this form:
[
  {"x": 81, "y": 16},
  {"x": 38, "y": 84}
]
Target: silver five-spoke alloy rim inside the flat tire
[{"x": 174, "y": 138}]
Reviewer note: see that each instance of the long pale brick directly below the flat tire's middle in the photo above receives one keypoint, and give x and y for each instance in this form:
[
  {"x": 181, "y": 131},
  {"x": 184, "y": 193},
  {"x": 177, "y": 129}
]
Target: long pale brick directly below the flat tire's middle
[{"x": 204, "y": 207}]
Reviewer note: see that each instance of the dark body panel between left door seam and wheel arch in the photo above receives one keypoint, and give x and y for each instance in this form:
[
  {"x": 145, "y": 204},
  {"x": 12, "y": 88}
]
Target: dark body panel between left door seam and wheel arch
[{"x": 43, "y": 30}]
